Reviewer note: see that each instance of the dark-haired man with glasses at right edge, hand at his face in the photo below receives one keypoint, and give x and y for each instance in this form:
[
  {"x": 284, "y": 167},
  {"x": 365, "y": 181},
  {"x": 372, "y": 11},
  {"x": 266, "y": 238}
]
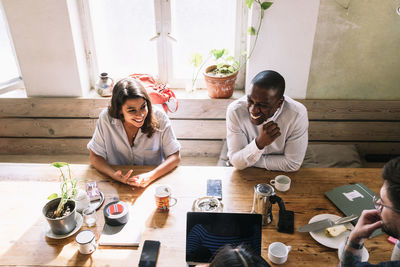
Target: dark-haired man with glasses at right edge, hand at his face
[{"x": 385, "y": 216}]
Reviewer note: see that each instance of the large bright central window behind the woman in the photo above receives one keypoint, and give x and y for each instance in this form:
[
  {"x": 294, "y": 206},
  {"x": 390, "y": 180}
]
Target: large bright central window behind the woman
[{"x": 158, "y": 37}]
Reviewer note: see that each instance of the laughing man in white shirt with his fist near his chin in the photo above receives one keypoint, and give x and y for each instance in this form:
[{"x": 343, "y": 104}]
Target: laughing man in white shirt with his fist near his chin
[{"x": 267, "y": 129}]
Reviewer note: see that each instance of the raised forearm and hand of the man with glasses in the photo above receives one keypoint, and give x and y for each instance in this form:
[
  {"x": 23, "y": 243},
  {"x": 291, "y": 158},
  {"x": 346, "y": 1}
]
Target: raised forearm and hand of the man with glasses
[{"x": 369, "y": 221}]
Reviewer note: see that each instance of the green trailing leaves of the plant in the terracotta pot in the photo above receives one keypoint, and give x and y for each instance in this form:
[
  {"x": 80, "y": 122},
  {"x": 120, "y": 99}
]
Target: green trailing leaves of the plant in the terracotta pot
[{"x": 225, "y": 63}]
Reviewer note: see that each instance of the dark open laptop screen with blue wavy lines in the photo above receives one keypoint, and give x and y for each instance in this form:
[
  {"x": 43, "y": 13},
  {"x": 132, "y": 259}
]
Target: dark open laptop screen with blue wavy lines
[{"x": 207, "y": 232}]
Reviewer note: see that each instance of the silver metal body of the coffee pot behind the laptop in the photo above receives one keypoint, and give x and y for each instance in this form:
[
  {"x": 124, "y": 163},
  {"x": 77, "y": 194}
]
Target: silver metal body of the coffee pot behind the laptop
[{"x": 262, "y": 203}]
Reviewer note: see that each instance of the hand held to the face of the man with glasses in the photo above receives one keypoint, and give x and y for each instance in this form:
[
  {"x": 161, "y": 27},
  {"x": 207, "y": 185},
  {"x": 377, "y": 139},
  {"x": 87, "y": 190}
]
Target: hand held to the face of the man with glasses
[{"x": 369, "y": 221}]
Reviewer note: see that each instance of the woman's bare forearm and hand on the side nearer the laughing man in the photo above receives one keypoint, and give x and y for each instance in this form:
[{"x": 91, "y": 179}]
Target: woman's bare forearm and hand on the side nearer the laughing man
[{"x": 147, "y": 178}]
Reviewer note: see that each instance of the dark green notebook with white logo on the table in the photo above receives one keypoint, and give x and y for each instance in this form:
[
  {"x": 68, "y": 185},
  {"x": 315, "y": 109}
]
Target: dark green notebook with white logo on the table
[{"x": 353, "y": 199}]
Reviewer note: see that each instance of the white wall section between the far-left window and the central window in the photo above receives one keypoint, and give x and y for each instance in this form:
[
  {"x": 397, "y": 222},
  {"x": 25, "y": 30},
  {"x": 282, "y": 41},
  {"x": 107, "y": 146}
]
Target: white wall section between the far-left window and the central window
[{"x": 44, "y": 44}]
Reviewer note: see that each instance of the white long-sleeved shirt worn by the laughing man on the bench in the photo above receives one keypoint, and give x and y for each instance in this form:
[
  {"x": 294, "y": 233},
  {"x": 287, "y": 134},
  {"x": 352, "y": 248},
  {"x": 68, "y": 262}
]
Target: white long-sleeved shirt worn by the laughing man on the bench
[{"x": 286, "y": 153}]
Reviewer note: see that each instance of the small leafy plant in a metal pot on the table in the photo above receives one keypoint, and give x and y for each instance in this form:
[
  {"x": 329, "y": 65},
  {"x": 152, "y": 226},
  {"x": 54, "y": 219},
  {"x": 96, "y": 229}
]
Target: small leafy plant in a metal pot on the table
[{"x": 60, "y": 210}]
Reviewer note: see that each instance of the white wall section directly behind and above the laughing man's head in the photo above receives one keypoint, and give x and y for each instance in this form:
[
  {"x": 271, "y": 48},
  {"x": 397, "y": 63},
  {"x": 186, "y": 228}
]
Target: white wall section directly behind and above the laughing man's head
[{"x": 285, "y": 43}]
